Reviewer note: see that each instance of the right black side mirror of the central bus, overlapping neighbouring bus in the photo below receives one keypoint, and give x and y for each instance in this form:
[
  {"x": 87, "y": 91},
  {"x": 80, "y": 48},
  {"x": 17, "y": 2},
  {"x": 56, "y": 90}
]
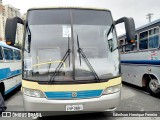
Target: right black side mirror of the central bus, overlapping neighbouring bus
[{"x": 130, "y": 28}]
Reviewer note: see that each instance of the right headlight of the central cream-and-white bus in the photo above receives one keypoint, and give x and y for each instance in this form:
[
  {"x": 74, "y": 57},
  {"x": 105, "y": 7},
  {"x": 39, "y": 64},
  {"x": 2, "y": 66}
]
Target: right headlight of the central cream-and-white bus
[{"x": 111, "y": 90}]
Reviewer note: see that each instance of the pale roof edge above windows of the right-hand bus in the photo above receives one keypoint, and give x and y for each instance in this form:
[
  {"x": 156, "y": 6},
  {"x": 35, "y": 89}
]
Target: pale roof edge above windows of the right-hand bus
[{"x": 144, "y": 26}]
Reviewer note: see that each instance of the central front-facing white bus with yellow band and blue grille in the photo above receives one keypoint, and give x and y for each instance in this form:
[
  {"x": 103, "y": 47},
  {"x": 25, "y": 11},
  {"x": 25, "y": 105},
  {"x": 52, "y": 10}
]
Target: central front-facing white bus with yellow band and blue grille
[{"x": 70, "y": 58}]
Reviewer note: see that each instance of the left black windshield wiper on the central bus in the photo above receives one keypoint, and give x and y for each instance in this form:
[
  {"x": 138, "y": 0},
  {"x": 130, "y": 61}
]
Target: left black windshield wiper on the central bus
[{"x": 61, "y": 63}]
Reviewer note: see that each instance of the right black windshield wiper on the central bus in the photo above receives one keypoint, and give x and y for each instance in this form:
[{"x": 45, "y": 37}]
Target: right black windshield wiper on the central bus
[{"x": 81, "y": 54}]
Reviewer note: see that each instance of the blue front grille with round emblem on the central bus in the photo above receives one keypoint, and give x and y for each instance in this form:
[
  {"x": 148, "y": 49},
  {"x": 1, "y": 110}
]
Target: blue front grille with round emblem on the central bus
[{"x": 74, "y": 95}]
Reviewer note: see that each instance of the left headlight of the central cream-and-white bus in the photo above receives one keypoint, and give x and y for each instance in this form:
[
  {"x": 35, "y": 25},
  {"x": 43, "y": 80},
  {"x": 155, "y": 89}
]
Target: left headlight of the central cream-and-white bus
[{"x": 33, "y": 93}]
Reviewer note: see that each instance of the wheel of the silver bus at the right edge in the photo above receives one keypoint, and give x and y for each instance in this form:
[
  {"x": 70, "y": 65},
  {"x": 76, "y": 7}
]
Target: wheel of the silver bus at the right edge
[{"x": 153, "y": 87}]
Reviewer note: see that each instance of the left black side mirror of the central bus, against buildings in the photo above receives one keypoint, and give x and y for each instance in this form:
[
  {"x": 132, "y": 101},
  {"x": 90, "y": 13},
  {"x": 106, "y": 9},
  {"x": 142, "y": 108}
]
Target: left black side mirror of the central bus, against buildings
[{"x": 10, "y": 29}]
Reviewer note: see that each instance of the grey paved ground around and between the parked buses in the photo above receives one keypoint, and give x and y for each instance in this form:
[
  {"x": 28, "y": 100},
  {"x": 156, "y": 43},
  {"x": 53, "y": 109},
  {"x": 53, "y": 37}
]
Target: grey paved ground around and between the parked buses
[{"x": 132, "y": 99}]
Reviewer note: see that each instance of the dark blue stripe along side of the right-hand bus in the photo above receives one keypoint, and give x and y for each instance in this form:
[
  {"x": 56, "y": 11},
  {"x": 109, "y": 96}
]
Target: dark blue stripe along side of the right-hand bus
[{"x": 150, "y": 62}]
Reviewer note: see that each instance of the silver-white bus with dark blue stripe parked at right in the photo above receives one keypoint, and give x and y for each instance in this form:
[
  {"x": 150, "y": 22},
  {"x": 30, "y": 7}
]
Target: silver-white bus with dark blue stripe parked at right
[{"x": 141, "y": 61}]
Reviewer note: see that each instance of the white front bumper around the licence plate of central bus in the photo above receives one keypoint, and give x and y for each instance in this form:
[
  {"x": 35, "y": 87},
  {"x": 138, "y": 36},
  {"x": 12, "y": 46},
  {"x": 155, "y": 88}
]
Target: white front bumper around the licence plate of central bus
[{"x": 103, "y": 103}]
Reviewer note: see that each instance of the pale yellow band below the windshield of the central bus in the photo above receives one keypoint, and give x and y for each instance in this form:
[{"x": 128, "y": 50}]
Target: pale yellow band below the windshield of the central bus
[{"x": 71, "y": 87}]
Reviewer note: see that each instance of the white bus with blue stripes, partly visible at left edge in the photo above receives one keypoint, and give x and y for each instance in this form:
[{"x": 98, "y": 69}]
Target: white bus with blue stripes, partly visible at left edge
[{"x": 10, "y": 68}]
